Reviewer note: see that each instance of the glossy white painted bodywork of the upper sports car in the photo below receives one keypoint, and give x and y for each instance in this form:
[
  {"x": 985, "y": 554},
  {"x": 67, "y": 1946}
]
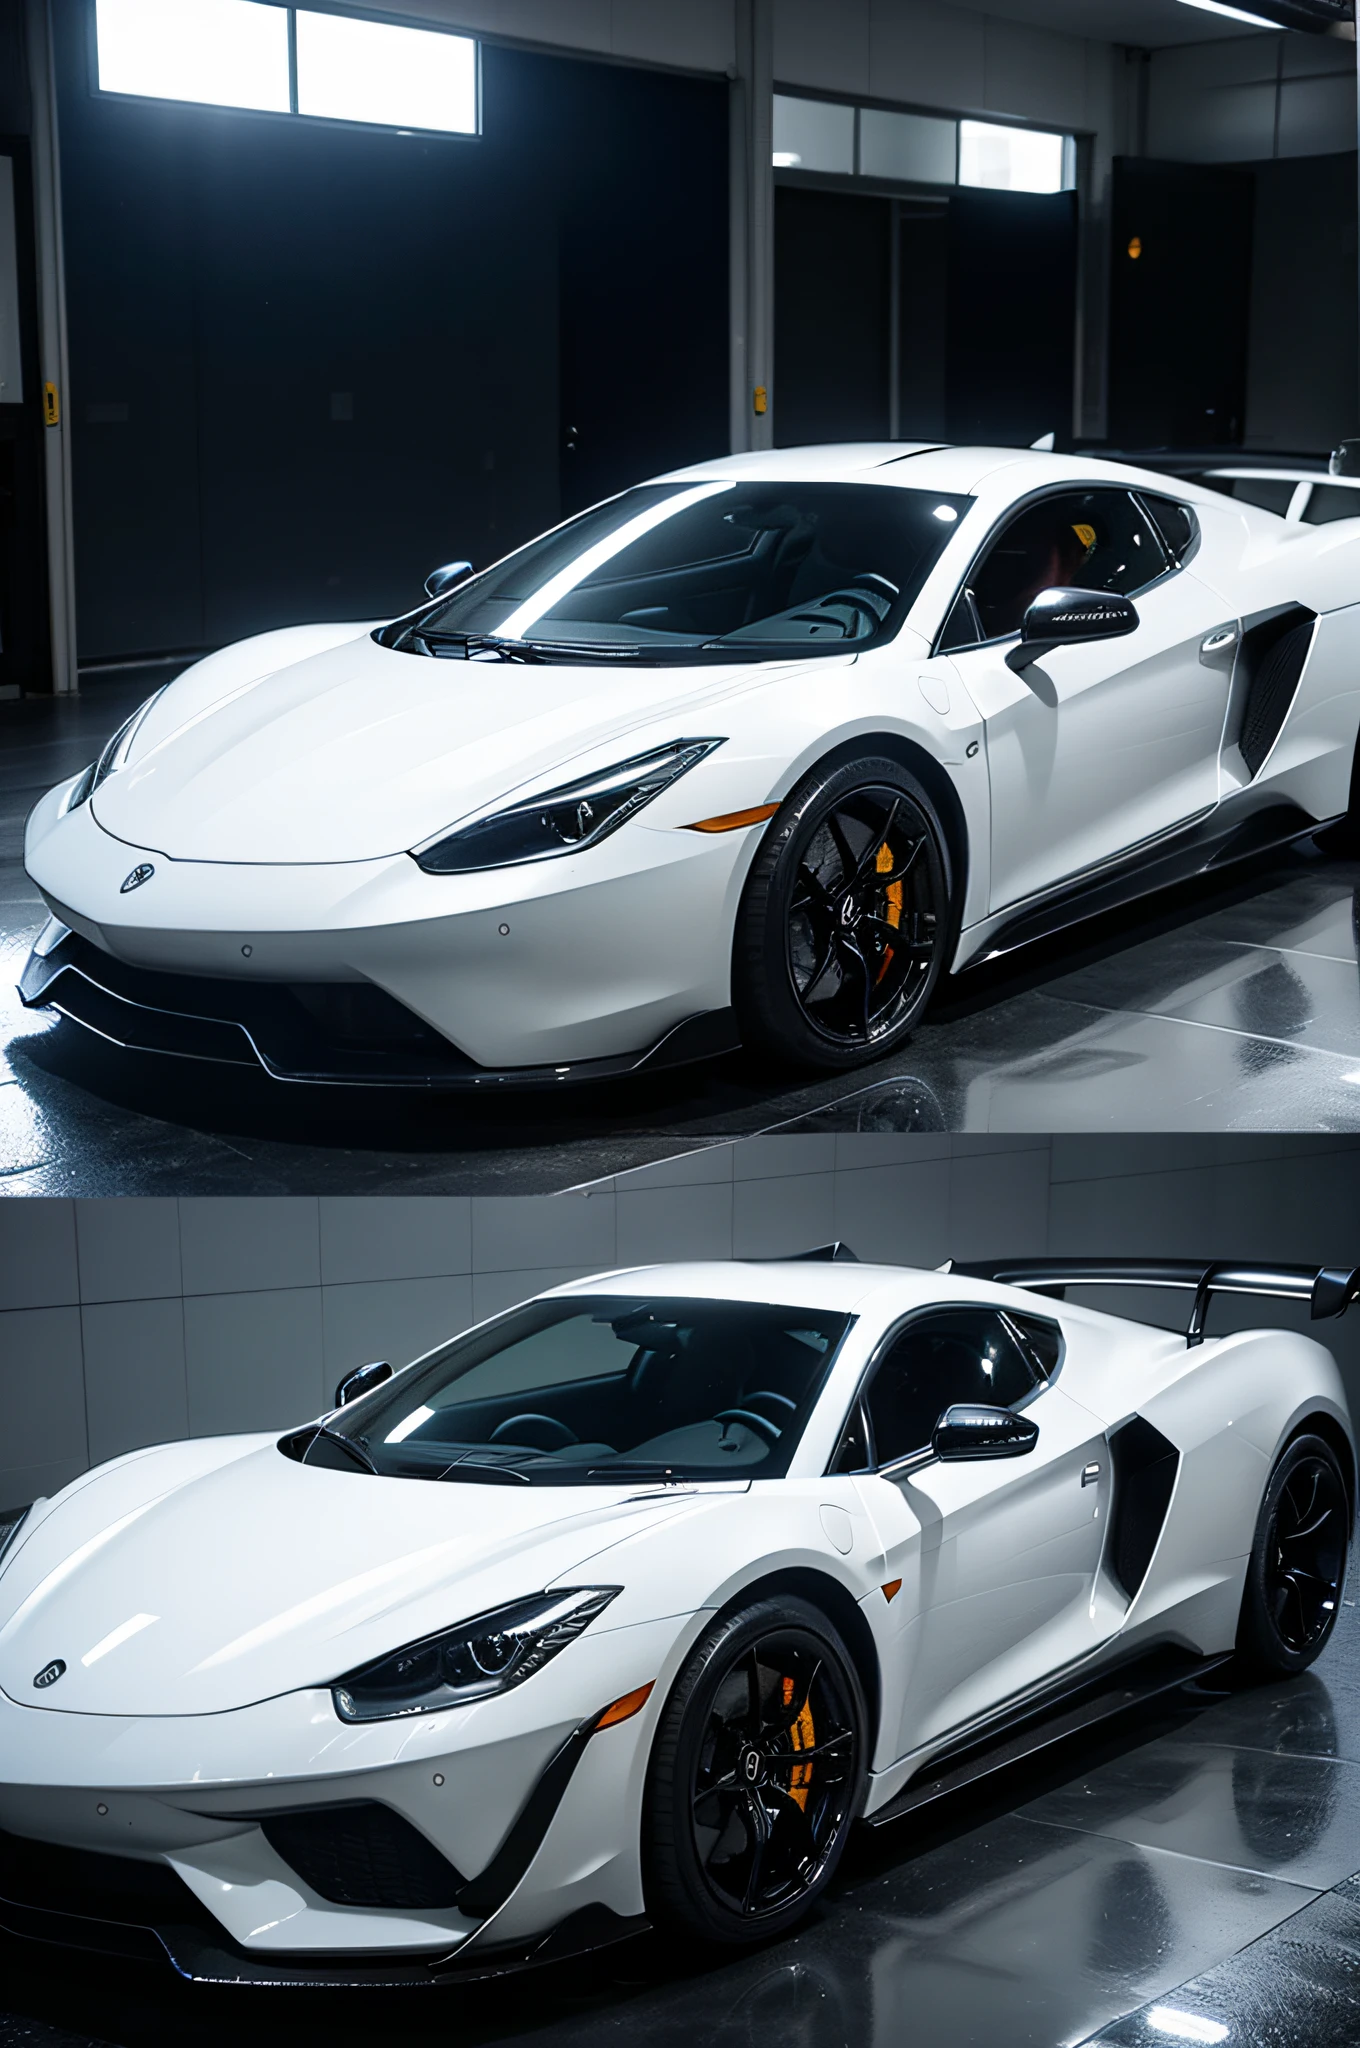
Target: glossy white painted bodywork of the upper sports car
[{"x": 280, "y": 785}]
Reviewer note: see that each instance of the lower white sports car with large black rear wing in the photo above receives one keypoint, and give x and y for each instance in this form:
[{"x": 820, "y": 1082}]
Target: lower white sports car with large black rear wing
[{"x": 630, "y": 1603}]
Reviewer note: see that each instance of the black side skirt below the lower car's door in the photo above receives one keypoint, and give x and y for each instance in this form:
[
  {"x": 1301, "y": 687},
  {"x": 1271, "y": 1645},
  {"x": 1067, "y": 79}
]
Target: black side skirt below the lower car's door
[{"x": 1062, "y": 1711}]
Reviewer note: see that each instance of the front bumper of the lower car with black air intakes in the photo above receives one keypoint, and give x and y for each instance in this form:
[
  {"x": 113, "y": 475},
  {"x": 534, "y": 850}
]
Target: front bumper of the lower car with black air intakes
[{"x": 497, "y": 1826}]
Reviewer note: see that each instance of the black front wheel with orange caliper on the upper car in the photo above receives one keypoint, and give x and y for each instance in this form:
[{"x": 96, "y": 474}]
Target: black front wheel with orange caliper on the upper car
[{"x": 820, "y": 974}]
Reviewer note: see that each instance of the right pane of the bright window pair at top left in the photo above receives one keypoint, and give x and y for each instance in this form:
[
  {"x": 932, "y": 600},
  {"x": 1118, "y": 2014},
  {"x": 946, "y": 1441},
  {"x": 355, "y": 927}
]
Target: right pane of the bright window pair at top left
[{"x": 372, "y": 71}]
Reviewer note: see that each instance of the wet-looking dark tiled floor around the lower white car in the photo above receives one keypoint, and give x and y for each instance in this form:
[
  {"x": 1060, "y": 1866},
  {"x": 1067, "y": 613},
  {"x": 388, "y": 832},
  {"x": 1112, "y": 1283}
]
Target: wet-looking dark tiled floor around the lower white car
[{"x": 1189, "y": 1879}]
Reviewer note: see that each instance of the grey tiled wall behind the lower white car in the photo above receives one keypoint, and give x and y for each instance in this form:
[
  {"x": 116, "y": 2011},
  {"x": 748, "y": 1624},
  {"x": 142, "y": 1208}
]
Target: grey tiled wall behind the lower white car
[{"x": 134, "y": 1322}]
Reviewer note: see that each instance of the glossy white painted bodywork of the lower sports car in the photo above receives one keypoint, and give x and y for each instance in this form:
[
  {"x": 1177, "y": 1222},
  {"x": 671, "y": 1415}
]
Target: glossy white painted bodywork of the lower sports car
[{"x": 204, "y": 1598}]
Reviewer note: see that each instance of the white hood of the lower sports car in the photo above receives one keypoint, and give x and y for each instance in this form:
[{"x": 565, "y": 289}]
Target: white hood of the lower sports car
[{"x": 175, "y": 1588}]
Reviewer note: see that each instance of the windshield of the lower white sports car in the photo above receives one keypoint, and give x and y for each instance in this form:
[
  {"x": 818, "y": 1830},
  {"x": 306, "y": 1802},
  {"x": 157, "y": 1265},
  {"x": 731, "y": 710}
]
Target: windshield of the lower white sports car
[{"x": 601, "y": 1390}]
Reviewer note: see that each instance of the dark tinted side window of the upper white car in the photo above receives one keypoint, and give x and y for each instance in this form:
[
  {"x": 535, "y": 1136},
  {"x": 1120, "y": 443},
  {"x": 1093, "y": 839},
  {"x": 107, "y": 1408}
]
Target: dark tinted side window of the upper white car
[{"x": 1082, "y": 542}]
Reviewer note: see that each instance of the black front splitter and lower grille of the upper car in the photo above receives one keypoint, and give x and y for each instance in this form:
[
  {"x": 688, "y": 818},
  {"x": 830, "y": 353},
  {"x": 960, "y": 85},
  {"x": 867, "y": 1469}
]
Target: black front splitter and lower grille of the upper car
[{"x": 312, "y": 1033}]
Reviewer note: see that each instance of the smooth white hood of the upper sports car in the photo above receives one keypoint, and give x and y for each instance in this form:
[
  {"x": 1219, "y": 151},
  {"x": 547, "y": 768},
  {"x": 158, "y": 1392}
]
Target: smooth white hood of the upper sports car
[{"x": 359, "y": 753}]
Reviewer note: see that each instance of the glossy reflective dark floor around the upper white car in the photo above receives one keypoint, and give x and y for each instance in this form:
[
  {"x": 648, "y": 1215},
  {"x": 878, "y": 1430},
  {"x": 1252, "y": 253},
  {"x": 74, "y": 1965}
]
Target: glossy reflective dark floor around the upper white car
[{"x": 1224, "y": 1007}]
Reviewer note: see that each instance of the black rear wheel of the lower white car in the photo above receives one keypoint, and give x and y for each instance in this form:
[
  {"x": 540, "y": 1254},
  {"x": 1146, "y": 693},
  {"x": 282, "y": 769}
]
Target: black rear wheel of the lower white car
[{"x": 1298, "y": 1564}]
